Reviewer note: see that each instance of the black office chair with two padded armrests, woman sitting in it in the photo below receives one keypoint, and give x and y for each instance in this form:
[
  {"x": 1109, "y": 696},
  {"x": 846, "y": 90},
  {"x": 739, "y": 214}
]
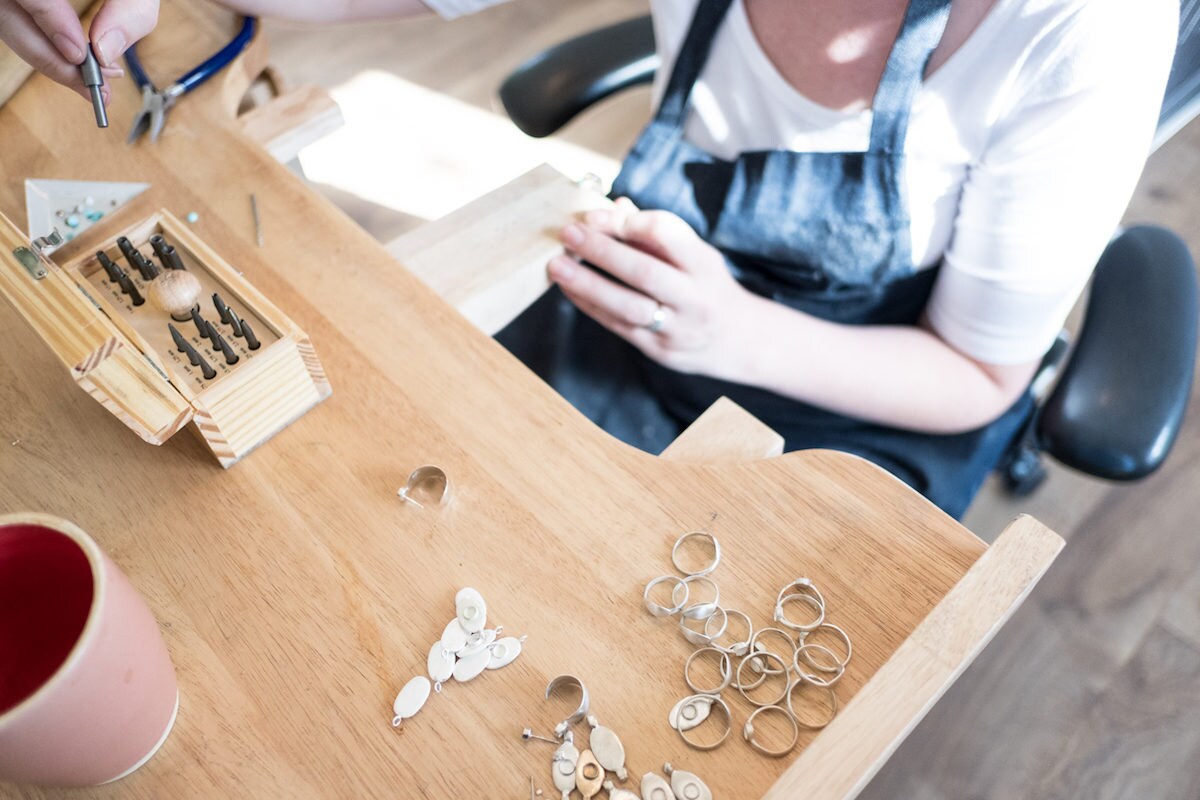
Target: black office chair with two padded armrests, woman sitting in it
[{"x": 1120, "y": 398}]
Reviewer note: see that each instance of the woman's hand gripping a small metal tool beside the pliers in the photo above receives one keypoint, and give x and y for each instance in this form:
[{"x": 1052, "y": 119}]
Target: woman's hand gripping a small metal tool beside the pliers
[{"x": 47, "y": 35}]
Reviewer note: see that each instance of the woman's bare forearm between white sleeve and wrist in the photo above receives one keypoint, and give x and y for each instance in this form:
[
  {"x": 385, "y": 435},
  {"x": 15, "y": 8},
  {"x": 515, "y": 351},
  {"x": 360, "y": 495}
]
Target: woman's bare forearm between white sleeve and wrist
[{"x": 899, "y": 376}]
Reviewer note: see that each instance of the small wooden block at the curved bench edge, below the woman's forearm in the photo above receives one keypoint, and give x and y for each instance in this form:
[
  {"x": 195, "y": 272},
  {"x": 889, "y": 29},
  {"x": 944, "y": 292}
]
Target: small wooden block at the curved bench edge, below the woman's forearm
[{"x": 725, "y": 434}]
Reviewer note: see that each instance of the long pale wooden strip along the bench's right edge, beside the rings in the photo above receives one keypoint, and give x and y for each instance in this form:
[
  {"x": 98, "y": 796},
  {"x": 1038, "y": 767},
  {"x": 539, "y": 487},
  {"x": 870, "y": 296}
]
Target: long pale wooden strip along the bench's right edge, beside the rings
[{"x": 842, "y": 761}]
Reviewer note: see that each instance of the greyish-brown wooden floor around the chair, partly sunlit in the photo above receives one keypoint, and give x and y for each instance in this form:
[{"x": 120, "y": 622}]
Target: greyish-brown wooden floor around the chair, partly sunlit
[{"x": 1094, "y": 689}]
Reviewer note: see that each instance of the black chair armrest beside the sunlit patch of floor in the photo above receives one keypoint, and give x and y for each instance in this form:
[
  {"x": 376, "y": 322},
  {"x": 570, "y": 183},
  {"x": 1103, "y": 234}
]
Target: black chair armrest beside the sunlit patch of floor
[{"x": 547, "y": 93}]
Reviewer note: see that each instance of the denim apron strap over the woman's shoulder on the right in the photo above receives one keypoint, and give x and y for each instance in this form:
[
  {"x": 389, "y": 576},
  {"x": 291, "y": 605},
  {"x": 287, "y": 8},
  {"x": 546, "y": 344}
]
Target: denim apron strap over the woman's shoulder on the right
[{"x": 920, "y": 35}]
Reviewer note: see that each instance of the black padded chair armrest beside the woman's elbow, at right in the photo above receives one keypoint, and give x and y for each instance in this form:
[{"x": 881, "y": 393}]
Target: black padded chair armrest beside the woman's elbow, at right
[{"x": 1119, "y": 406}]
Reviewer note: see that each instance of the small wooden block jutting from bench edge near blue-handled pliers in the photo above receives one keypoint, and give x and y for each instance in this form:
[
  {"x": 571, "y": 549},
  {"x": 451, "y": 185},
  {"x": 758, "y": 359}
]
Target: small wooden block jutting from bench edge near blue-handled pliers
[{"x": 292, "y": 122}]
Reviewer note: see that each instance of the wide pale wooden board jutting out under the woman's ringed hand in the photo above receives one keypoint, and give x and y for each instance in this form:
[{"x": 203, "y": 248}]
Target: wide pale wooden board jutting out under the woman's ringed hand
[{"x": 489, "y": 258}]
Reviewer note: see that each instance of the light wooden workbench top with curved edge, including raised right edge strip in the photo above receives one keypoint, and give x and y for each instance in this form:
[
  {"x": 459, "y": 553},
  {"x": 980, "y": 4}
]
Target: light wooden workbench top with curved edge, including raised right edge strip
[{"x": 298, "y": 594}]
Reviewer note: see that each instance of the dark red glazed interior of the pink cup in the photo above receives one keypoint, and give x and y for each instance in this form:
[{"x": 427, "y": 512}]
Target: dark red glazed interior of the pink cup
[{"x": 46, "y": 593}]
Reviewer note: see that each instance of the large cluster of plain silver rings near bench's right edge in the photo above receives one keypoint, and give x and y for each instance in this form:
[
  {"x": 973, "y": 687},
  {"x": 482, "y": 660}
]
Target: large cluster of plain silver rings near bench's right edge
[{"x": 783, "y": 653}]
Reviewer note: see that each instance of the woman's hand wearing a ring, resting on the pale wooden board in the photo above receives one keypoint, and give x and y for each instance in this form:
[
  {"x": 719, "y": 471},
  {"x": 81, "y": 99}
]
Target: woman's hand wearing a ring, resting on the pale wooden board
[{"x": 706, "y": 318}]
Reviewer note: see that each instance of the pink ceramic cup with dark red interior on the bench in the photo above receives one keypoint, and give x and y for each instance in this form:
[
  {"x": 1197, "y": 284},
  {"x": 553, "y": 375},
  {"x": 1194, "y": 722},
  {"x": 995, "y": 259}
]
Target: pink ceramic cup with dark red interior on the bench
[{"x": 87, "y": 688}]
